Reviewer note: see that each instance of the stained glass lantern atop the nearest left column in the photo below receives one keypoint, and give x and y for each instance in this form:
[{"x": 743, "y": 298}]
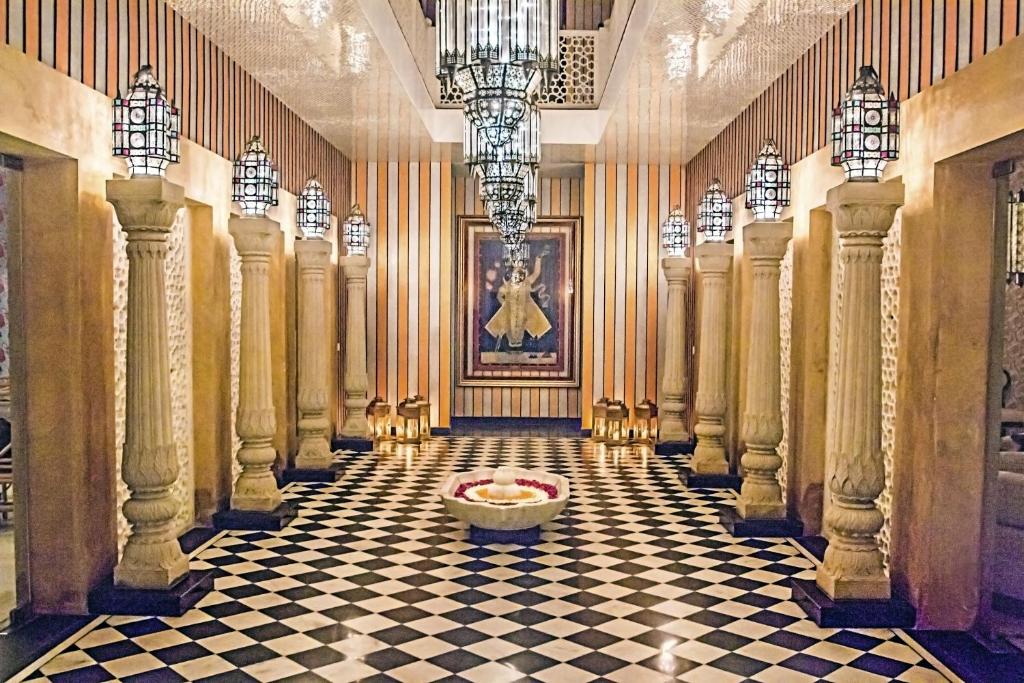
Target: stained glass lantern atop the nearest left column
[{"x": 147, "y": 127}]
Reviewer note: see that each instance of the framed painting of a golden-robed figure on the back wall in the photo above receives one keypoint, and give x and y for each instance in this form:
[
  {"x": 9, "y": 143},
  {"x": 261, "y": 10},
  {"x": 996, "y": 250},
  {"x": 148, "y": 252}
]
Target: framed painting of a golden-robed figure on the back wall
[{"x": 519, "y": 326}]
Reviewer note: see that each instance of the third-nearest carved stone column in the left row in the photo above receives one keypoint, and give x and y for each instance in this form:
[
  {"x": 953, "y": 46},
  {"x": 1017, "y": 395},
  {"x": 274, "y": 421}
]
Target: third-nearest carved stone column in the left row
[{"x": 313, "y": 258}]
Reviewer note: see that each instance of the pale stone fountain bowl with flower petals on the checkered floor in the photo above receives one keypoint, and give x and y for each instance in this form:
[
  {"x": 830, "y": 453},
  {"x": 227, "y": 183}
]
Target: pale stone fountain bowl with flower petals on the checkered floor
[{"x": 504, "y": 523}]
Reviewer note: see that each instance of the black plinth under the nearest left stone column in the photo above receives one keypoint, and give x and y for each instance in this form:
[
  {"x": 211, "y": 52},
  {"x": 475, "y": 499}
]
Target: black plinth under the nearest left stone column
[{"x": 174, "y": 602}]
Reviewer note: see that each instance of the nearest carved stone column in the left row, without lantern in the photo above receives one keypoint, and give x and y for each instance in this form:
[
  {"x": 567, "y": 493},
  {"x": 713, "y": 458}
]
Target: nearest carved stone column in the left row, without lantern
[{"x": 152, "y": 558}]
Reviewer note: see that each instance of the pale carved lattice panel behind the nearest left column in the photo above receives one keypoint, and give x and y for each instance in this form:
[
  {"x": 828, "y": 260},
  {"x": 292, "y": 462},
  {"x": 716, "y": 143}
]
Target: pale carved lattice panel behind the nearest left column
[{"x": 180, "y": 348}]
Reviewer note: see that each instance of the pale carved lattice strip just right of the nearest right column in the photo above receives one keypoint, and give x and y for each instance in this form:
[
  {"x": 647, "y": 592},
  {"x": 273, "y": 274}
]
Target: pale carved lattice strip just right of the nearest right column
[{"x": 890, "y": 341}]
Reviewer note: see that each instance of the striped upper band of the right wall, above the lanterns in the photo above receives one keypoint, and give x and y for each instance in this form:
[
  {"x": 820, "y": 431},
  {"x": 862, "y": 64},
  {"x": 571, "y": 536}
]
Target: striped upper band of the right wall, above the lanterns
[{"x": 913, "y": 44}]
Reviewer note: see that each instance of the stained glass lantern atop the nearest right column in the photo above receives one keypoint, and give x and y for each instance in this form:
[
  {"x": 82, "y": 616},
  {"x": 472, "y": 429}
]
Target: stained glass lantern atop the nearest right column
[{"x": 866, "y": 130}]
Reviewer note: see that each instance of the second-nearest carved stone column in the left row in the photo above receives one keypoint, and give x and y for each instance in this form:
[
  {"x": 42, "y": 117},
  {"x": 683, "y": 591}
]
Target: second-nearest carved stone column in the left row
[{"x": 257, "y": 489}]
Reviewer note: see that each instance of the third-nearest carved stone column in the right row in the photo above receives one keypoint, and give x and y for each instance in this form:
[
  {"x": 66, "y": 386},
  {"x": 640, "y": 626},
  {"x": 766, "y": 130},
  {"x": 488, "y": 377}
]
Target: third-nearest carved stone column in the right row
[{"x": 709, "y": 457}]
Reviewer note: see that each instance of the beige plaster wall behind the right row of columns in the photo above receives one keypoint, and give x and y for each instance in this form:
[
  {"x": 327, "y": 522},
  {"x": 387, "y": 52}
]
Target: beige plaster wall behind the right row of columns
[{"x": 945, "y": 332}]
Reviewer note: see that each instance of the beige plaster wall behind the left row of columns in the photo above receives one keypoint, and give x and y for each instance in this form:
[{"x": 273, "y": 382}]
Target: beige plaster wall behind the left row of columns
[{"x": 67, "y": 426}]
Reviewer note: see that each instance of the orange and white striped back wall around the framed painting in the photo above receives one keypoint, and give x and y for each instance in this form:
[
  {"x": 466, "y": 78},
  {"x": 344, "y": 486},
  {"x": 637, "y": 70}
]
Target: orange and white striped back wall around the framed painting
[{"x": 413, "y": 208}]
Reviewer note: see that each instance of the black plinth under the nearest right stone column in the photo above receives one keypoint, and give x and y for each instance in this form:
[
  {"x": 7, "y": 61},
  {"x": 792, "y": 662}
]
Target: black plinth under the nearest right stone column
[{"x": 892, "y": 614}]
